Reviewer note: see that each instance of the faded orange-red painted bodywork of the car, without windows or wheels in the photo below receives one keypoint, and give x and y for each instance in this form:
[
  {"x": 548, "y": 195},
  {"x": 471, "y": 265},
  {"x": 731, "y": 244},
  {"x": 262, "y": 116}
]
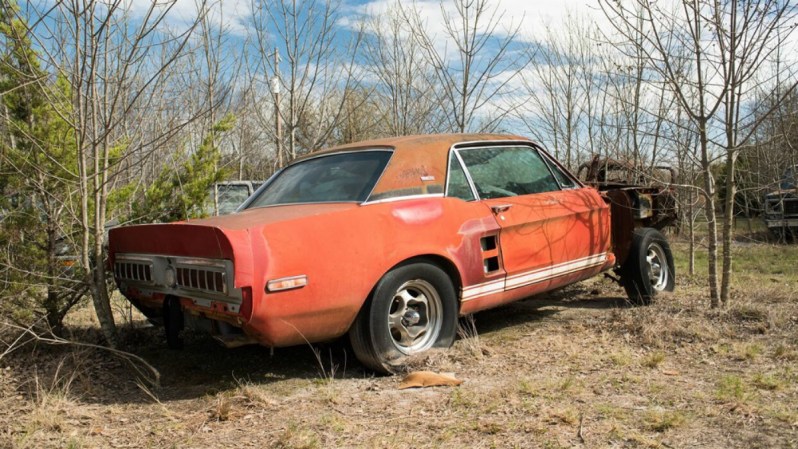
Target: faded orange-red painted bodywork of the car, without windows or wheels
[{"x": 345, "y": 248}]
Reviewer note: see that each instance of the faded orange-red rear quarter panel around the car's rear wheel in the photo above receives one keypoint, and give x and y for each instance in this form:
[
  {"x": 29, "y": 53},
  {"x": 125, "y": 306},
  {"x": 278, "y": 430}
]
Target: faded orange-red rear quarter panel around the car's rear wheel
[{"x": 345, "y": 253}]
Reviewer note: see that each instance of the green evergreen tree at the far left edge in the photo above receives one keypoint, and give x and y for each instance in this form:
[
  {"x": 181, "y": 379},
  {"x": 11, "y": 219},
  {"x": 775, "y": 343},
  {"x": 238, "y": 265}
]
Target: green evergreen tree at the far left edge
[{"x": 41, "y": 272}]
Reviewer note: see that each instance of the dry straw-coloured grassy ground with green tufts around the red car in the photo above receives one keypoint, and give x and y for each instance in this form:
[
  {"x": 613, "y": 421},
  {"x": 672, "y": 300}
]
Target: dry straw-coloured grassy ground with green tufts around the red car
[{"x": 575, "y": 369}]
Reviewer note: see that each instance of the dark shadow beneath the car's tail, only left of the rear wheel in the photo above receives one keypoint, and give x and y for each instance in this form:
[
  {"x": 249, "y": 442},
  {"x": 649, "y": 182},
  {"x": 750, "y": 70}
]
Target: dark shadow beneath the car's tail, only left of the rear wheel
[{"x": 202, "y": 368}]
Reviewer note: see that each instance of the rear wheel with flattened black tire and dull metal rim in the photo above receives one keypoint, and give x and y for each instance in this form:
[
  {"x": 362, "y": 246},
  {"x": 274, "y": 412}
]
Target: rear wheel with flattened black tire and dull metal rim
[{"x": 413, "y": 308}]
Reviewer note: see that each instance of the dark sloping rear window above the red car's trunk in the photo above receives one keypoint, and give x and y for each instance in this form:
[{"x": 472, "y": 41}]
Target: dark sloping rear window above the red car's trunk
[{"x": 343, "y": 177}]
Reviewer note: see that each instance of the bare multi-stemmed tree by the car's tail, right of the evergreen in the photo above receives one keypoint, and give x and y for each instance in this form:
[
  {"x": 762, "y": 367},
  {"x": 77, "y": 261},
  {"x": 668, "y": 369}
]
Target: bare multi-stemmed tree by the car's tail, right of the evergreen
[{"x": 115, "y": 66}]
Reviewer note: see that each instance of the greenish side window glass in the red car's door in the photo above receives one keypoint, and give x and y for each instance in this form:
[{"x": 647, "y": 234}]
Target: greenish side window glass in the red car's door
[{"x": 500, "y": 172}]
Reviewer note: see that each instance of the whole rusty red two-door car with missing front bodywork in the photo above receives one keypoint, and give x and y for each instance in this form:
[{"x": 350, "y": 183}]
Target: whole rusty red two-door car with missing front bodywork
[{"x": 389, "y": 241}]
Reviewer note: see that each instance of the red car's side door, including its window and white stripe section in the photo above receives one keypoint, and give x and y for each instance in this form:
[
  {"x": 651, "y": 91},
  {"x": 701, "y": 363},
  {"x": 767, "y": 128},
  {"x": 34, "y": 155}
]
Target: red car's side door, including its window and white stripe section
[{"x": 546, "y": 220}]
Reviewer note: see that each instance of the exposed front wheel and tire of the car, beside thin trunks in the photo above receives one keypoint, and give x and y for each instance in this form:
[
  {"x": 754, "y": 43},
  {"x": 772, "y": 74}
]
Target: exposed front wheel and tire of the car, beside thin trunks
[{"x": 649, "y": 268}]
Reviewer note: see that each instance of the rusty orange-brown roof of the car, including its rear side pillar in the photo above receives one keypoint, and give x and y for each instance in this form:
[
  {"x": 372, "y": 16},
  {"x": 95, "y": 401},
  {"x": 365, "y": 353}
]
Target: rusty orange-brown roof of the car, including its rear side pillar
[{"x": 419, "y": 163}]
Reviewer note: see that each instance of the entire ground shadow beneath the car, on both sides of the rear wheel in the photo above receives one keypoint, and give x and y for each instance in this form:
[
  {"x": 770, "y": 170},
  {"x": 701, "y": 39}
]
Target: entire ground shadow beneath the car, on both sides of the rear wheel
[{"x": 203, "y": 367}]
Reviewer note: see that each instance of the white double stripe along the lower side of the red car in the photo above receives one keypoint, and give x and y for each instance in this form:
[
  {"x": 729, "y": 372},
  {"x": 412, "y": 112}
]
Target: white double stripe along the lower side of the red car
[{"x": 532, "y": 277}]
